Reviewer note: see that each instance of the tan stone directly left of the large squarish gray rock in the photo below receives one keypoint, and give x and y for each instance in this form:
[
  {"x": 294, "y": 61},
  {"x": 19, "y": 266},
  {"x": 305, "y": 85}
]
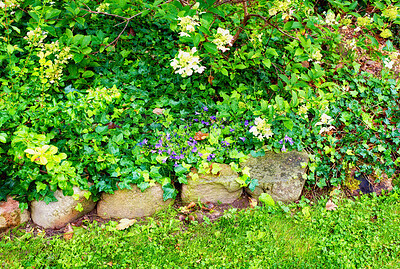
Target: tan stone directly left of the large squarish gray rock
[{"x": 221, "y": 187}]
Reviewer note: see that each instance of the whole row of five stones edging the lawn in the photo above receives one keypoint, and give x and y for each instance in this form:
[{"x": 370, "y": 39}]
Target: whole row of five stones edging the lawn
[{"x": 278, "y": 174}]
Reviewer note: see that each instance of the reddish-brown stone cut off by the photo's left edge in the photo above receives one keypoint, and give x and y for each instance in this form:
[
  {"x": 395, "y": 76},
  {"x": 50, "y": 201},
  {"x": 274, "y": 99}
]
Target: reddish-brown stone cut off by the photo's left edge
[{"x": 11, "y": 215}]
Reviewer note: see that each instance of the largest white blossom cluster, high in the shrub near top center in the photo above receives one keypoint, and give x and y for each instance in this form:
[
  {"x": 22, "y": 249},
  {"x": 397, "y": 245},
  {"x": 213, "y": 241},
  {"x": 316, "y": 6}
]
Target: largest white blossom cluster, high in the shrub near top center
[{"x": 185, "y": 63}]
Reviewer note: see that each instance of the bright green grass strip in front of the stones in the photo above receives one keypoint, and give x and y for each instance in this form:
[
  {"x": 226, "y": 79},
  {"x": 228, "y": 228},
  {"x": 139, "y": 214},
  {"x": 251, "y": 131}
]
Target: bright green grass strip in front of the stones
[{"x": 359, "y": 234}]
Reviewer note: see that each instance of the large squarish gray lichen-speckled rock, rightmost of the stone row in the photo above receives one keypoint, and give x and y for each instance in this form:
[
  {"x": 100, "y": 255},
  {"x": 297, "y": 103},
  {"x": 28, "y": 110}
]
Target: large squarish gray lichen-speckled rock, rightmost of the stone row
[{"x": 278, "y": 174}]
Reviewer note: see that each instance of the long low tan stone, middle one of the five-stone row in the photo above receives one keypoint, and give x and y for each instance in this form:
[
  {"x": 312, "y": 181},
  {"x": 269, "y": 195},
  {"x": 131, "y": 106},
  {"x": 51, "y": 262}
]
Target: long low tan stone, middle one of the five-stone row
[{"x": 128, "y": 204}]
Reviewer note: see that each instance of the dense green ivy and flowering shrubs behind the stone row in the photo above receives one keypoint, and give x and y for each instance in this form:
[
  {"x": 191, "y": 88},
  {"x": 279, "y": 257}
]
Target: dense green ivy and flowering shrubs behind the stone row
[{"x": 134, "y": 92}]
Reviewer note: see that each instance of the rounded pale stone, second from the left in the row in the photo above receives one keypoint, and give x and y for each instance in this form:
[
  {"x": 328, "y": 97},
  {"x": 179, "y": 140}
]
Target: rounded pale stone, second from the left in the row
[{"x": 58, "y": 214}]
